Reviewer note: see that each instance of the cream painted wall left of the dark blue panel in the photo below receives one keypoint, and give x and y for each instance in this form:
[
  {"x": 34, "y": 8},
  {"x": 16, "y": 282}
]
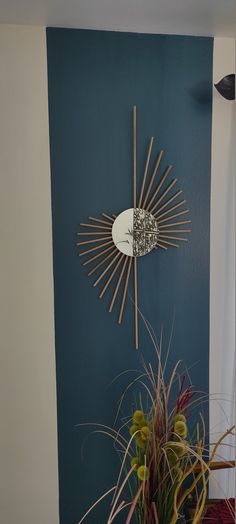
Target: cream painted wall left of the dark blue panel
[{"x": 28, "y": 438}]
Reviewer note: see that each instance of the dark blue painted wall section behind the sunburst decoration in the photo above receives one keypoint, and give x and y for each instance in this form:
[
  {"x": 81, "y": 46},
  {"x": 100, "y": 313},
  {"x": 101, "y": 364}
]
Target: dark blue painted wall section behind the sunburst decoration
[{"x": 94, "y": 80}]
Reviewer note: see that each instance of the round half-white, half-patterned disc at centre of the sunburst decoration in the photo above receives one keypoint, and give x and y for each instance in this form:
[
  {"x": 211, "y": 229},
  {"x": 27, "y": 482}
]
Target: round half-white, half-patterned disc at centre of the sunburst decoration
[{"x": 135, "y": 232}]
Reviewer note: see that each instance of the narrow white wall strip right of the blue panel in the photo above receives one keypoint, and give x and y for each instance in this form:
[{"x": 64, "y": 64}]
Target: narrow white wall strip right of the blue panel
[{"x": 222, "y": 278}]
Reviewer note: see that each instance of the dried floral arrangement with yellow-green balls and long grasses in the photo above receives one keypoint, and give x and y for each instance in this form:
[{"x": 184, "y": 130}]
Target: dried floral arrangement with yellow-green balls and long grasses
[{"x": 165, "y": 460}]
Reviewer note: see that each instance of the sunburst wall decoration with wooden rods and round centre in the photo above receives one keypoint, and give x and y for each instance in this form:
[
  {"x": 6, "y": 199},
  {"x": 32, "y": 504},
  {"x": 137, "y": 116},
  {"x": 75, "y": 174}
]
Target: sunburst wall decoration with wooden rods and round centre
[{"x": 119, "y": 240}]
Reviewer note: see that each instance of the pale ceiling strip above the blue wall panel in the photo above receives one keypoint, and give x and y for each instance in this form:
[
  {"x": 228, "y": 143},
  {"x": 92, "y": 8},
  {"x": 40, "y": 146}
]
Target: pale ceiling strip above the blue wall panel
[{"x": 193, "y": 17}]
